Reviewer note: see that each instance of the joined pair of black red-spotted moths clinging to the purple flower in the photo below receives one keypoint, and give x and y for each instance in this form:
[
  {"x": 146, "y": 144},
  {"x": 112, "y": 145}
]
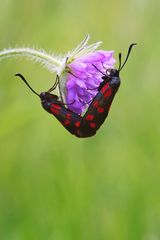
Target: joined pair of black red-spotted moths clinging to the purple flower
[{"x": 86, "y": 125}]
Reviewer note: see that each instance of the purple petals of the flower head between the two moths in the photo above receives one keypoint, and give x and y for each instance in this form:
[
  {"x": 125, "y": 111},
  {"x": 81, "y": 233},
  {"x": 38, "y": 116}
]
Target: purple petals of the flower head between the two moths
[{"x": 84, "y": 77}]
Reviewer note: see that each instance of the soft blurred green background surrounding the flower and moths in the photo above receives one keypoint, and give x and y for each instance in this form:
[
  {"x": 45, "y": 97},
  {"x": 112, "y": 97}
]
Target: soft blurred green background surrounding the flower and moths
[{"x": 54, "y": 186}]
